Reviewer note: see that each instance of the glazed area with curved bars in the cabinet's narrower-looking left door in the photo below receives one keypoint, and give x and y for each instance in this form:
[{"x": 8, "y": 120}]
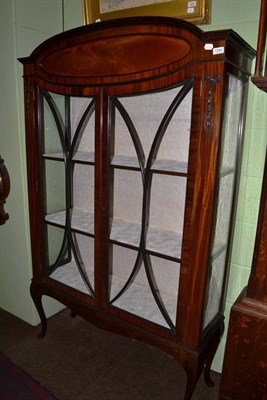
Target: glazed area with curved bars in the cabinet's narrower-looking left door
[{"x": 67, "y": 134}]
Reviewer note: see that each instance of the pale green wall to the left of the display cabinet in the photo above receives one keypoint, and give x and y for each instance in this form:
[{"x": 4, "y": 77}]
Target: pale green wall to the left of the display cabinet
[{"x": 24, "y": 24}]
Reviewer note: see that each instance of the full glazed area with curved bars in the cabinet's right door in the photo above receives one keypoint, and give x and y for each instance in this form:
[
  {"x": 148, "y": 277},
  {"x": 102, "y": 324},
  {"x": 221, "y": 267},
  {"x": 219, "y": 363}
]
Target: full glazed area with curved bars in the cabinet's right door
[{"x": 149, "y": 146}]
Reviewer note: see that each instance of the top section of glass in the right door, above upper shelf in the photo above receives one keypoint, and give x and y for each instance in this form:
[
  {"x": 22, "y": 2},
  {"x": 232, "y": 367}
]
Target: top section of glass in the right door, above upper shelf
[{"x": 152, "y": 108}]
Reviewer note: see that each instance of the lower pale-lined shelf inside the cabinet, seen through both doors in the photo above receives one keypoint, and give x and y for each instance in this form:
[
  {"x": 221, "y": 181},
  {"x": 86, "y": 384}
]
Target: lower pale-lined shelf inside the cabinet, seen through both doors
[{"x": 162, "y": 243}]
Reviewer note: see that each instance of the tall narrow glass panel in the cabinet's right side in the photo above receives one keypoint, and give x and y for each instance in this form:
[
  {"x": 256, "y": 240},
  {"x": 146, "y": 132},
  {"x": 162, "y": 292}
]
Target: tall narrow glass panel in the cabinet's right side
[{"x": 226, "y": 182}]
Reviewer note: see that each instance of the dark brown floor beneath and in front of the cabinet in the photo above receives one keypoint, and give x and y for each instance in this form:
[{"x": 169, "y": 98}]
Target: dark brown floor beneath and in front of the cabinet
[{"x": 76, "y": 361}]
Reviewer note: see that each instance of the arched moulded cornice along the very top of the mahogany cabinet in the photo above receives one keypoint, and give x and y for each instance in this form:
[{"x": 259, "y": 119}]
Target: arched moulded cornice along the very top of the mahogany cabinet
[{"x": 116, "y": 27}]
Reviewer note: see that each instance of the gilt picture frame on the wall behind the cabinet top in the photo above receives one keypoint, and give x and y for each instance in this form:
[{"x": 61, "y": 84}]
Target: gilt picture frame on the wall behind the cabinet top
[{"x": 197, "y": 11}]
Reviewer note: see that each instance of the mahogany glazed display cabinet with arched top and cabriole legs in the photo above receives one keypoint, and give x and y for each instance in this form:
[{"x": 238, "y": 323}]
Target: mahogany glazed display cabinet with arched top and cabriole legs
[{"x": 134, "y": 133}]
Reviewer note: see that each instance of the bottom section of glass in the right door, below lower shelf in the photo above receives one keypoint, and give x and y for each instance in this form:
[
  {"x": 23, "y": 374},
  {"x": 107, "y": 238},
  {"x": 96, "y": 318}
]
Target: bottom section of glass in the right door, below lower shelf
[{"x": 138, "y": 298}]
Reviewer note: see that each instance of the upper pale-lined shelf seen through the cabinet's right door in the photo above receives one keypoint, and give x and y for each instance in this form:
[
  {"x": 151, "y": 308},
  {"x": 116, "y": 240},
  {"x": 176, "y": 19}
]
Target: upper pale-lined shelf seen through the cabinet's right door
[{"x": 170, "y": 167}]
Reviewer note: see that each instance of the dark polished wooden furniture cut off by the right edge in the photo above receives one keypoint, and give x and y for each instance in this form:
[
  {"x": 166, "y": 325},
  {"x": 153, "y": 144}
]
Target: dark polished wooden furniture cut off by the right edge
[{"x": 244, "y": 375}]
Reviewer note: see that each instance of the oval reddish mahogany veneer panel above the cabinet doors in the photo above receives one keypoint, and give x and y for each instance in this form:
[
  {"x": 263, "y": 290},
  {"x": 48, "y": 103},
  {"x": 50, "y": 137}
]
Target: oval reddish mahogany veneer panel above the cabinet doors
[{"x": 103, "y": 57}]
